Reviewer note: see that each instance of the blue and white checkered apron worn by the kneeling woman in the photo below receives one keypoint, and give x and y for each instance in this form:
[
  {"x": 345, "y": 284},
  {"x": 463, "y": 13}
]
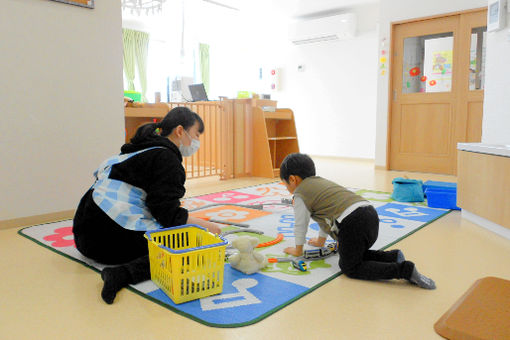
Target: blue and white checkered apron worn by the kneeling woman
[{"x": 122, "y": 202}]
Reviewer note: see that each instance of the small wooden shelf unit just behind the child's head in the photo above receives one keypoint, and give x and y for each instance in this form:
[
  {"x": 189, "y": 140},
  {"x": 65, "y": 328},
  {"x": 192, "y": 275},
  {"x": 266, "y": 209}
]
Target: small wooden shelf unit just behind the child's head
[{"x": 274, "y": 137}]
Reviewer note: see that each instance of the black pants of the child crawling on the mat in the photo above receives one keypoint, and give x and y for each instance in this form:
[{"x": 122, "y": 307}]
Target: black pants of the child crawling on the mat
[{"x": 356, "y": 234}]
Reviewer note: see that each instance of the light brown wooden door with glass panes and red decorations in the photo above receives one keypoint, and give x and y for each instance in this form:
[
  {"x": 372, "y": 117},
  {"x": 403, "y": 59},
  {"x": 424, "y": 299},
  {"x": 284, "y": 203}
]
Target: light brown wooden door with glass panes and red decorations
[{"x": 432, "y": 106}]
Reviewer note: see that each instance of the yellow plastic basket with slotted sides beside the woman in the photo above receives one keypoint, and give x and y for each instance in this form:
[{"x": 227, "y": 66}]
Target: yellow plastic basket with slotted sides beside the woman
[{"x": 186, "y": 262}]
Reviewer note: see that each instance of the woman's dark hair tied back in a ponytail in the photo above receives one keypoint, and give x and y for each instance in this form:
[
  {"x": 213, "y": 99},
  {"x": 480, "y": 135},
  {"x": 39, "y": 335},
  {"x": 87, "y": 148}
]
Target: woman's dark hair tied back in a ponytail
[{"x": 177, "y": 116}]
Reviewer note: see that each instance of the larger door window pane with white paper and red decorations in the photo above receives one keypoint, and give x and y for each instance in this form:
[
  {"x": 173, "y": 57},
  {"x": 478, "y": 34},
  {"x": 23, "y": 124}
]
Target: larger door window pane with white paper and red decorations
[{"x": 428, "y": 63}]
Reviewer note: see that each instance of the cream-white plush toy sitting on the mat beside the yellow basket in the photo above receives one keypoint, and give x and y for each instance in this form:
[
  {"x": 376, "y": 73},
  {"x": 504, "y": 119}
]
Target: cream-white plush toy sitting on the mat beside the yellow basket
[{"x": 247, "y": 260}]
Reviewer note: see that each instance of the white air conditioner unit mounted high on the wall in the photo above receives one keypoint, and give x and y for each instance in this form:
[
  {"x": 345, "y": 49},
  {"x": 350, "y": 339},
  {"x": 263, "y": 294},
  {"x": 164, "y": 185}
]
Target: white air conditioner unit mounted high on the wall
[{"x": 336, "y": 27}]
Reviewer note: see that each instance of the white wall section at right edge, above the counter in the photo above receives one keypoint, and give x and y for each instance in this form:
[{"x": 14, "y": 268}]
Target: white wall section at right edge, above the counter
[{"x": 496, "y": 108}]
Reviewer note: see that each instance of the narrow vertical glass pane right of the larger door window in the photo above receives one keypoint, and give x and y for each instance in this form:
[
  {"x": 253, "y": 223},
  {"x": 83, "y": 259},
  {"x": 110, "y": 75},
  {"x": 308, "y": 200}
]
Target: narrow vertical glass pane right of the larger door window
[{"x": 477, "y": 58}]
